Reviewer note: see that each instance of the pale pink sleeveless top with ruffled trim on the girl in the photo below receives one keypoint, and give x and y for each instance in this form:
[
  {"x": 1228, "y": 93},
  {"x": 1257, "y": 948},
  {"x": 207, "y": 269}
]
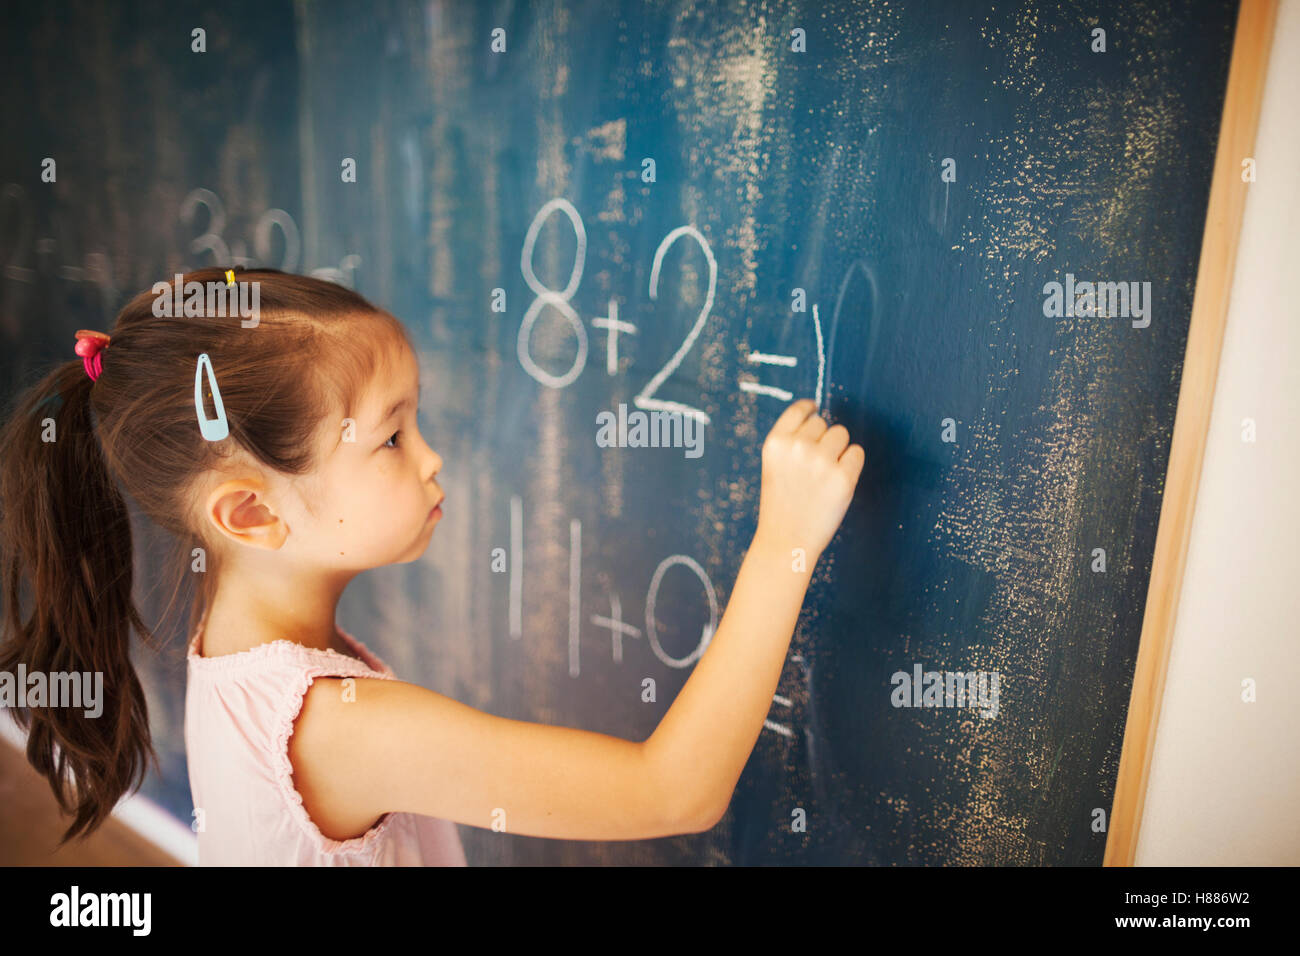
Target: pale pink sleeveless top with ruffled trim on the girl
[{"x": 240, "y": 713}]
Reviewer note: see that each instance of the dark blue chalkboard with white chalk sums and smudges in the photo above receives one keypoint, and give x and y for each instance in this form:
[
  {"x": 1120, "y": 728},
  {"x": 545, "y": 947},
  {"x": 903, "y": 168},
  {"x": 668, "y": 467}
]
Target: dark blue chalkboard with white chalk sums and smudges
[{"x": 709, "y": 210}]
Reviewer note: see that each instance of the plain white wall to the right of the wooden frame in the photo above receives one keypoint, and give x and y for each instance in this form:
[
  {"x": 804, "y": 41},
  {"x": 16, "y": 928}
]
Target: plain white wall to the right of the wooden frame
[{"x": 1225, "y": 782}]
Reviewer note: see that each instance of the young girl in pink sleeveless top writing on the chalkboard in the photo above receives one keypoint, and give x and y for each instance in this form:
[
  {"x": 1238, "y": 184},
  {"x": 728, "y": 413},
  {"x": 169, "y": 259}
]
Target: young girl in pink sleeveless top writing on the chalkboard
[{"x": 304, "y": 749}]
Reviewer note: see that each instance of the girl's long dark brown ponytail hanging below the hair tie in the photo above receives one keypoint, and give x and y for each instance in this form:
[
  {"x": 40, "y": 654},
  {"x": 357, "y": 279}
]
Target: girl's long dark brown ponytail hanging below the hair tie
[{"x": 66, "y": 550}]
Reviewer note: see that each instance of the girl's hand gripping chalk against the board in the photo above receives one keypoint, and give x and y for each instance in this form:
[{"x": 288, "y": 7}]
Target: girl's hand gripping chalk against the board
[{"x": 809, "y": 475}]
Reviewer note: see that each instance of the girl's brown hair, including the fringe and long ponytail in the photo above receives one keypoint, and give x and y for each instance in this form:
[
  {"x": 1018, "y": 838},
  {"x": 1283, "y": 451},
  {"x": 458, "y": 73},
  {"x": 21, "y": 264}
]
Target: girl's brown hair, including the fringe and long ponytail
[{"x": 66, "y": 535}]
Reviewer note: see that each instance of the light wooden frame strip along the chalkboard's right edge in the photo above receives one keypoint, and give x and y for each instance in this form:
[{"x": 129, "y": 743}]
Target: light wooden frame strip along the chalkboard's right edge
[{"x": 1242, "y": 103}]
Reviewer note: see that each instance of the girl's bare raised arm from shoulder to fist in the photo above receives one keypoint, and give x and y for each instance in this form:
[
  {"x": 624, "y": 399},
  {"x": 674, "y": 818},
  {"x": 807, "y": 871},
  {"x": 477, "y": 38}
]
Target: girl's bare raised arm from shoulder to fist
[{"x": 400, "y": 747}]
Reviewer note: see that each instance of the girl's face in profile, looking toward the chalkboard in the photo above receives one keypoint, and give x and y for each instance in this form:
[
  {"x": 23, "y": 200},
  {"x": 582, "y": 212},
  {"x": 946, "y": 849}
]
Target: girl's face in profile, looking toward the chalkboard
[{"x": 371, "y": 501}]
